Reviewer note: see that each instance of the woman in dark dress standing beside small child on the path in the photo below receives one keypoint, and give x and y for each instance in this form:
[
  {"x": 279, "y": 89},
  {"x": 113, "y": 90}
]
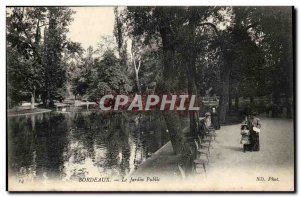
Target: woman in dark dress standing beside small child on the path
[{"x": 254, "y": 125}]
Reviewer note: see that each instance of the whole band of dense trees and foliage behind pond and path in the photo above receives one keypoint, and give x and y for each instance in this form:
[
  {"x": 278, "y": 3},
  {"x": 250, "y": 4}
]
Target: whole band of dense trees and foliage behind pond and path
[{"x": 226, "y": 52}]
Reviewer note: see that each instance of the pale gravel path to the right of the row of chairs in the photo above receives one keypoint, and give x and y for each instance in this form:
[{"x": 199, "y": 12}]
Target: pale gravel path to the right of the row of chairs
[{"x": 232, "y": 169}]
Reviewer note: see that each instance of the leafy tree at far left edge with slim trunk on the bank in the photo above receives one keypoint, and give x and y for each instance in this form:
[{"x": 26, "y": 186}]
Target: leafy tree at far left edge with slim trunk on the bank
[{"x": 24, "y": 41}]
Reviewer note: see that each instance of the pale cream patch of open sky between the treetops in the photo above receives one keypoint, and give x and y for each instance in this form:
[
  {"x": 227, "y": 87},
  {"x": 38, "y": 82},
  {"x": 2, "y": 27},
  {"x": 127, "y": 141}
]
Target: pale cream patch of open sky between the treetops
[{"x": 90, "y": 23}]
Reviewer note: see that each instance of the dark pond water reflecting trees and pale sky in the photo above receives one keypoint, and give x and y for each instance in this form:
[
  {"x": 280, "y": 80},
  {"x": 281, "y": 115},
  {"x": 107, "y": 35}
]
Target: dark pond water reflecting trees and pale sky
[{"x": 76, "y": 145}]
